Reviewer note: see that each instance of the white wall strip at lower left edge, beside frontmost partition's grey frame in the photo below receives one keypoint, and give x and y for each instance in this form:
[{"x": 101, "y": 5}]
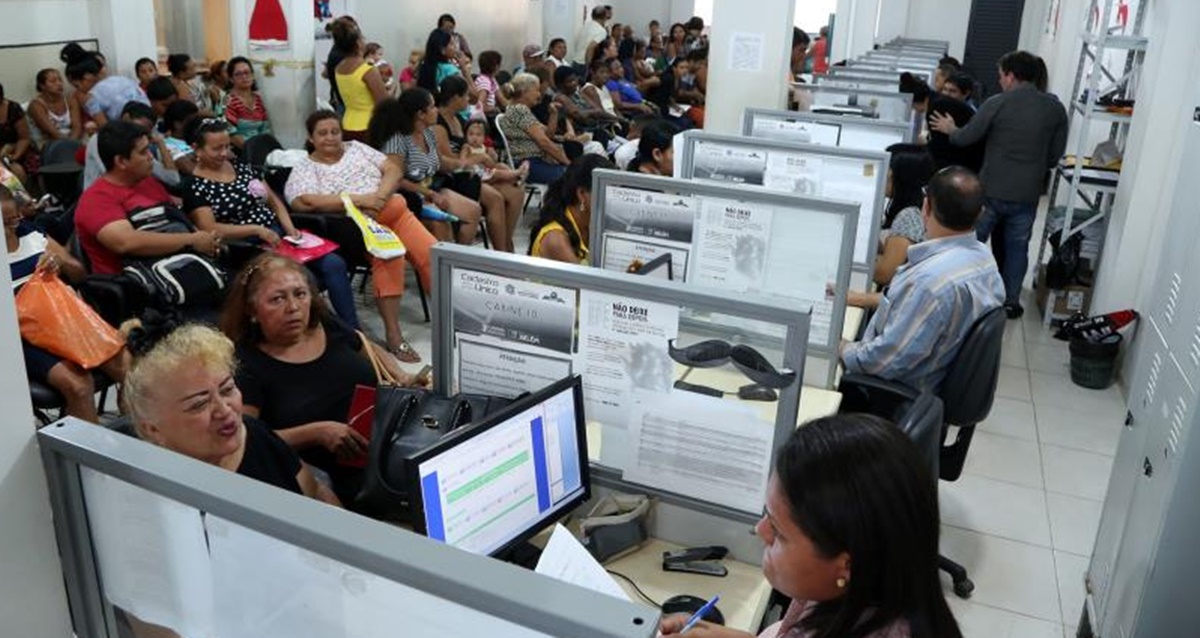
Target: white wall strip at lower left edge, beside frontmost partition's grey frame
[{"x": 33, "y": 601}]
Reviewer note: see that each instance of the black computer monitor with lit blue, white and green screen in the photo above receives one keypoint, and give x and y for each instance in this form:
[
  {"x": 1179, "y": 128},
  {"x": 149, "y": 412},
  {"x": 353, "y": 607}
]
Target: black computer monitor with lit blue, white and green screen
[{"x": 493, "y": 486}]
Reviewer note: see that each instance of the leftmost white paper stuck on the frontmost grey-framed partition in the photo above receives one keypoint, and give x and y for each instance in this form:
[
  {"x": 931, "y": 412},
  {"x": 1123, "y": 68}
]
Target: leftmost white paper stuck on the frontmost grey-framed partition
[{"x": 153, "y": 556}]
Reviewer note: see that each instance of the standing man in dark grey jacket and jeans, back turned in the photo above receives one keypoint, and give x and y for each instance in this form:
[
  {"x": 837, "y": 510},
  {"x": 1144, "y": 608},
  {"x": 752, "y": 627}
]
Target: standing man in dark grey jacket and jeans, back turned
[{"x": 1027, "y": 134}]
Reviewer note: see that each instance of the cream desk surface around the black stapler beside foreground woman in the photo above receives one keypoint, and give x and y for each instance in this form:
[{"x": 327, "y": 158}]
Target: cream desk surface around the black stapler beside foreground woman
[{"x": 745, "y": 592}]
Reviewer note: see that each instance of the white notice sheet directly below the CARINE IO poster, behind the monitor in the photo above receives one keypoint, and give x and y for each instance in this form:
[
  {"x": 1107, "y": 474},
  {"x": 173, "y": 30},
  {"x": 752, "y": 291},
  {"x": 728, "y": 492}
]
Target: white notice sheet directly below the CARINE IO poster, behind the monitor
[{"x": 491, "y": 366}]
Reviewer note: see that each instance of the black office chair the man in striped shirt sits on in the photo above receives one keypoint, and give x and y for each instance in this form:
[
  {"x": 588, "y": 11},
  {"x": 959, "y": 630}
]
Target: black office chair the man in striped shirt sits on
[{"x": 967, "y": 394}]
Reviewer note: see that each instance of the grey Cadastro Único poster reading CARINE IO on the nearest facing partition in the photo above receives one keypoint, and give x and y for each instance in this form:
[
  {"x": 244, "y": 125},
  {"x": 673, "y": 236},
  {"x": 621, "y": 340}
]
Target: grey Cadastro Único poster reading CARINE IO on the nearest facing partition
[{"x": 514, "y": 310}]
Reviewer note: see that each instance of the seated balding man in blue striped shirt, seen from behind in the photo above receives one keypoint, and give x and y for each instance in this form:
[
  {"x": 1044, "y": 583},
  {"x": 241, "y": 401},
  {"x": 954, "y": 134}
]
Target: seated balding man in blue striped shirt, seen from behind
[{"x": 950, "y": 282}]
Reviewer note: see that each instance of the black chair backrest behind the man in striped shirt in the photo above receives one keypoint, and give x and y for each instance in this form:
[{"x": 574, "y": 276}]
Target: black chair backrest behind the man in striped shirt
[{"x": 970, "y": 384}]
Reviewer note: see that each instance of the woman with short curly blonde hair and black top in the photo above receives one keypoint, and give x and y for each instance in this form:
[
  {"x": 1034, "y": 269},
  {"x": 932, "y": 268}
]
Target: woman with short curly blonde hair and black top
[{"x": 182, "y": 395}]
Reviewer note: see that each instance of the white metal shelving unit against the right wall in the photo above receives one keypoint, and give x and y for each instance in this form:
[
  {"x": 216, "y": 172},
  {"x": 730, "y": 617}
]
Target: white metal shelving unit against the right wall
[{"x": 1111, "y": 61}]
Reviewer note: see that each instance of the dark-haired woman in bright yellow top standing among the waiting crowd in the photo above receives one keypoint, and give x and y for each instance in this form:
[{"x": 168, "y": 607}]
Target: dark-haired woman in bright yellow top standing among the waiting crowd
[{"x": 359, "y": 82}]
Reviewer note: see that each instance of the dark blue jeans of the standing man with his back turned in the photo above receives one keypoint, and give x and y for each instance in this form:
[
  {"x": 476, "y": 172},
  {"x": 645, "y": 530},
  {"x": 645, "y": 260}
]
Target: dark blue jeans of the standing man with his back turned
[{"x": 1013, "y": 225}]
